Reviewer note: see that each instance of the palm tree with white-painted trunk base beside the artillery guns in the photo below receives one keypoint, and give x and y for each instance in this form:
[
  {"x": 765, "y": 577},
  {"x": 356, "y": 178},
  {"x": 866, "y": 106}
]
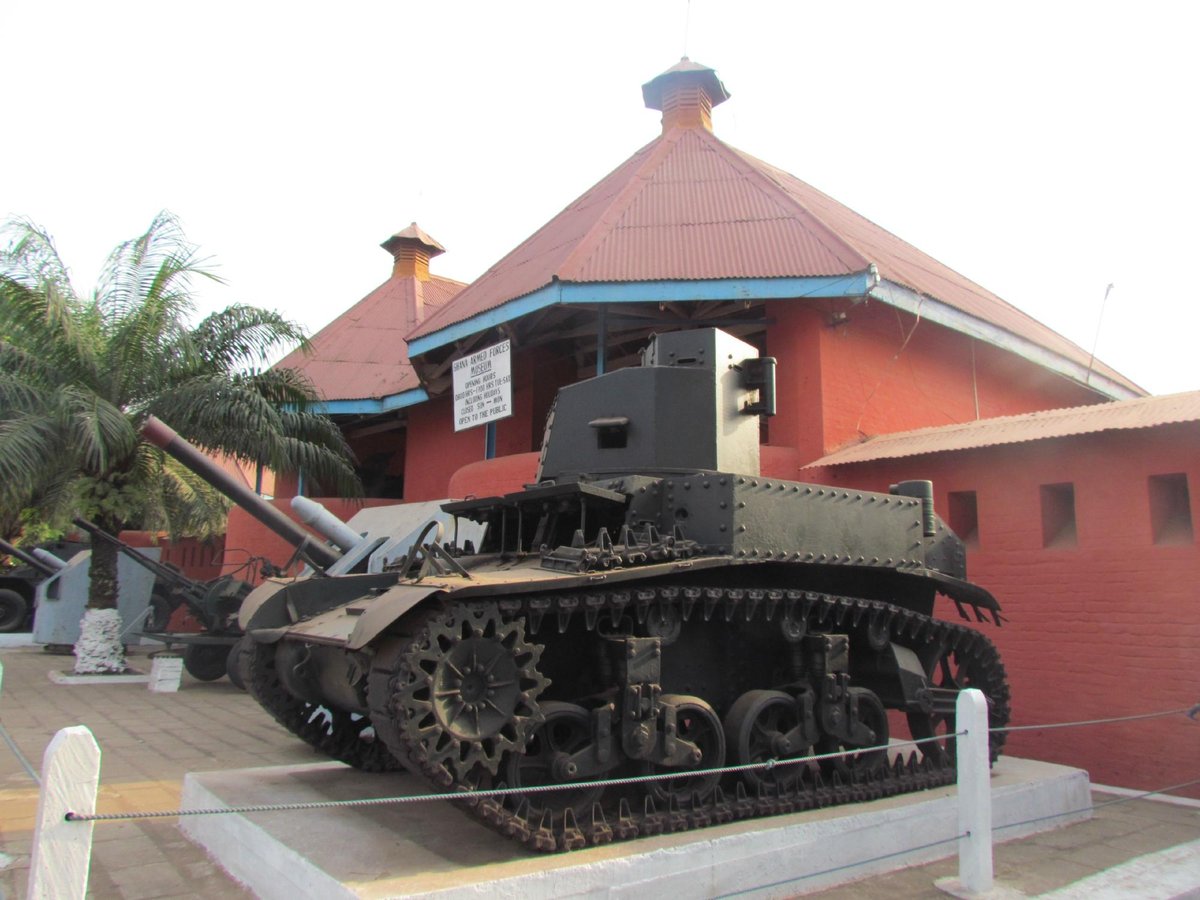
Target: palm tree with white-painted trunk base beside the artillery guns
[{"x": 80, "y": 375}]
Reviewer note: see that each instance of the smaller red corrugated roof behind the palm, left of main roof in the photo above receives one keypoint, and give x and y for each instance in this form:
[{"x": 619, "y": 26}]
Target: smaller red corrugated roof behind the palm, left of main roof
[{"x": 362, "y": 355}]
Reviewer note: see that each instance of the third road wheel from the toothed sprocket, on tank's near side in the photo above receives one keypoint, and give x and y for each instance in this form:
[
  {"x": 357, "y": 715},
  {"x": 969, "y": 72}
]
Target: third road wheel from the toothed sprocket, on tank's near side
[{"x": 755, "y": 731}]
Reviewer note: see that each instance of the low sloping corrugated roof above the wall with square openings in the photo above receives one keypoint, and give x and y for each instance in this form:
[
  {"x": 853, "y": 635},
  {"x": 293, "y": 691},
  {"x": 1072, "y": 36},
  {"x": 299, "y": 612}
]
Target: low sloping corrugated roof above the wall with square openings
[{"x": 1141, "y": 413}]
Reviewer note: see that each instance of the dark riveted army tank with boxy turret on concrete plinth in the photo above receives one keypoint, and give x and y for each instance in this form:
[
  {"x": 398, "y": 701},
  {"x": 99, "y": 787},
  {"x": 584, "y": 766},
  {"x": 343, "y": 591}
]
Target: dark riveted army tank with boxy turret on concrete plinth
[{"x": 652, "y": 607}]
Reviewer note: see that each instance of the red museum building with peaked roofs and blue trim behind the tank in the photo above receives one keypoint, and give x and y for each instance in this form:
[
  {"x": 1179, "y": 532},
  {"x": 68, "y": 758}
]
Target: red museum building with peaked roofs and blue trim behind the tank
[{"x": 874, "y": 340}]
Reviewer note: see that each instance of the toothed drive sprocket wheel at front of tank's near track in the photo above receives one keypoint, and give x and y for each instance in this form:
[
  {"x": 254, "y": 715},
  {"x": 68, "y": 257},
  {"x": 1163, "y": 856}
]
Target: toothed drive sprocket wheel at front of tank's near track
[{"x": 469, "y": 692}]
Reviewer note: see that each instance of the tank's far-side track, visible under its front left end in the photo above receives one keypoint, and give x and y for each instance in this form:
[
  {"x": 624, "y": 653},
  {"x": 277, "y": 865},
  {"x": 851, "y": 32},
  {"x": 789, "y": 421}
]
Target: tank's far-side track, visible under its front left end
[{"x": 331, "y": 733}]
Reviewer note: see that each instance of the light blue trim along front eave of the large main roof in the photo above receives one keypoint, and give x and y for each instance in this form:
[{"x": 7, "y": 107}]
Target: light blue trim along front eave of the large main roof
[{"x": 649, "y": 292}]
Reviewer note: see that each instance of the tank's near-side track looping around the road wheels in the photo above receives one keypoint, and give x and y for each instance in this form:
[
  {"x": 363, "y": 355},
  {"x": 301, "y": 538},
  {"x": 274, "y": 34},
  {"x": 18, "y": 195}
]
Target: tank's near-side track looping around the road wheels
[{"x": 640, "y": 815}]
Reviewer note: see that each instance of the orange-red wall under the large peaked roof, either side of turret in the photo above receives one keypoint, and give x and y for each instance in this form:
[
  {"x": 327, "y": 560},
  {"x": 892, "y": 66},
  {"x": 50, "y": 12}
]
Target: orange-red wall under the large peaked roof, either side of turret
[{"x": 880, "y": 371}]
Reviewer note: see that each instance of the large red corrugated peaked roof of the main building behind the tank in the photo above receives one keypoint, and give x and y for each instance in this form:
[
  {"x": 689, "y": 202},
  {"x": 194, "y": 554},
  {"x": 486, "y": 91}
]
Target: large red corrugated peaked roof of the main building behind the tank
[{"x": 691, "y": 207}]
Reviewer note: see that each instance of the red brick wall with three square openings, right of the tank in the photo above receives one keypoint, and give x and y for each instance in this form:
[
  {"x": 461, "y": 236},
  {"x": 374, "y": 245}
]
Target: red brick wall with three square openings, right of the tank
[{"x": 1105, "y": 626}]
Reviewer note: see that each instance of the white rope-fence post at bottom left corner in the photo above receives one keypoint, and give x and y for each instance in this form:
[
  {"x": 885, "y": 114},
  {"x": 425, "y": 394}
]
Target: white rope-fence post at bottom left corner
[{"x": 63, "y": 850}]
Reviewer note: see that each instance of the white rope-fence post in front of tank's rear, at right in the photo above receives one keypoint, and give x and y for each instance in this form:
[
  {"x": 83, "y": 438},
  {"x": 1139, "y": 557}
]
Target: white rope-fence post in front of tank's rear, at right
[{"x": 975, "y": 793}]
